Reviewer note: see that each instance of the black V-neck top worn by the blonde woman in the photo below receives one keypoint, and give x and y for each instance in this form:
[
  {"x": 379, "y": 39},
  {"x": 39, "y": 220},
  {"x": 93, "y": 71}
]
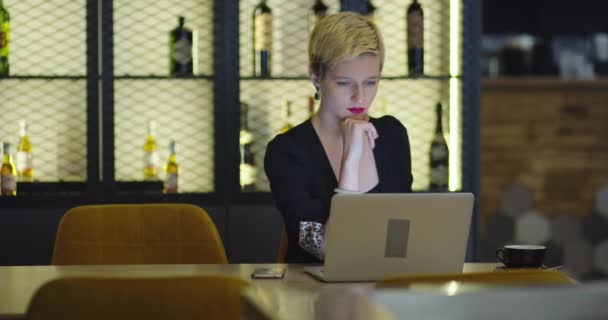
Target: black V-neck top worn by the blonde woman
[{"x": 303, "y": 182}]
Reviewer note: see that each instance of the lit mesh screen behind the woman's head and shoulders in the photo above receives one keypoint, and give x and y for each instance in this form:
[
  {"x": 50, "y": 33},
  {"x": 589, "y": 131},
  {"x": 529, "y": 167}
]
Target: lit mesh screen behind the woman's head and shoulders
[{"x": 411, "y": 101}]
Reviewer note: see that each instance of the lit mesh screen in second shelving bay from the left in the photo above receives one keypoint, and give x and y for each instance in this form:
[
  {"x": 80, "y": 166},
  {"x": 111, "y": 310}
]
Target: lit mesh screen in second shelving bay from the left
[{"x": 182, "y": 108}]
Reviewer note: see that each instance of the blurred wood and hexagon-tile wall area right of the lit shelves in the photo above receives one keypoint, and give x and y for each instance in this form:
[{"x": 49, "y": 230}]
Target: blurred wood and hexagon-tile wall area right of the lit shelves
[{"x": 544, "y": 149}]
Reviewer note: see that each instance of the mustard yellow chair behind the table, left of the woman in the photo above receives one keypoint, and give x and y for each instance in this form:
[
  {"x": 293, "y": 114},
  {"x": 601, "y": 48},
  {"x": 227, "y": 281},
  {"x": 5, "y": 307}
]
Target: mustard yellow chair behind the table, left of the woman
[{"x": 137, "y": 234}]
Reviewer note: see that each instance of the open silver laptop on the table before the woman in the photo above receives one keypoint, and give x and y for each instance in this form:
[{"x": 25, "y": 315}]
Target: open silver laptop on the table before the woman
[{"x": 372, "y": 236}]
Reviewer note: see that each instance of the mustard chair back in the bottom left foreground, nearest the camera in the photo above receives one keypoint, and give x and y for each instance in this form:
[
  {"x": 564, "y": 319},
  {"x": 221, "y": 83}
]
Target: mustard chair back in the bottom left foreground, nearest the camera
[{"x": 197, "y": 297}]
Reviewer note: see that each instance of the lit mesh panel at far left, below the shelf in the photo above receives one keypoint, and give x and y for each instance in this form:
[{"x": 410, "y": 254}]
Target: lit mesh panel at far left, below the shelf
[{"x": 55, "y": 111}]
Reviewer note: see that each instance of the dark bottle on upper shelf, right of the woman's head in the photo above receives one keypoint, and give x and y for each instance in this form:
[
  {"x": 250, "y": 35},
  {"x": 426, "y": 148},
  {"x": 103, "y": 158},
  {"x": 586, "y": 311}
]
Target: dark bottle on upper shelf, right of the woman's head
[{"x": 415, "y": 39}]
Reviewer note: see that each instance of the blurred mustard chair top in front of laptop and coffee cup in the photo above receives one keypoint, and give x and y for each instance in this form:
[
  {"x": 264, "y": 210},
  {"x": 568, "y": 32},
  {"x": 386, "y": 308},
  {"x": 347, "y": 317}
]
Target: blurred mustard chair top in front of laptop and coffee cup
[{"x": 511, "y": 277}]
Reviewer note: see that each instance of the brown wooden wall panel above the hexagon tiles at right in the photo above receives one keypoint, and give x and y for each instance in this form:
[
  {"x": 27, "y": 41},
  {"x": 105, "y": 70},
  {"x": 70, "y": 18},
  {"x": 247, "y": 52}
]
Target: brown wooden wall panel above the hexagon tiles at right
[{"x": 549, "y": 135}]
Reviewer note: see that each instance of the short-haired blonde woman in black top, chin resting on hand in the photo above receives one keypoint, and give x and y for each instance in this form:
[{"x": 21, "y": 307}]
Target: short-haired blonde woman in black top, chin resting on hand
[{"x": 340, "y": 149}]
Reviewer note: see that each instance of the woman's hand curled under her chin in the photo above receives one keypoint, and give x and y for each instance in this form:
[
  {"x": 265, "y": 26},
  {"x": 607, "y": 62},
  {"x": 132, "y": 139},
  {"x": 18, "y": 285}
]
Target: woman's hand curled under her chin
[{"x": 355, "y": 133}]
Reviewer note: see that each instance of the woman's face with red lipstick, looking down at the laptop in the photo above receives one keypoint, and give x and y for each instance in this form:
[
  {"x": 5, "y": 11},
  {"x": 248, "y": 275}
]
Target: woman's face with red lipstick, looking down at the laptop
[{"x": 348, "y": 89}]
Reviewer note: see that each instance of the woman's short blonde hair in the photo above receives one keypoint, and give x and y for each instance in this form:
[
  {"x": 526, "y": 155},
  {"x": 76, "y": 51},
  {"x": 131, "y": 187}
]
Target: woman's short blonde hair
[{"x": 341, "y": 37}]
